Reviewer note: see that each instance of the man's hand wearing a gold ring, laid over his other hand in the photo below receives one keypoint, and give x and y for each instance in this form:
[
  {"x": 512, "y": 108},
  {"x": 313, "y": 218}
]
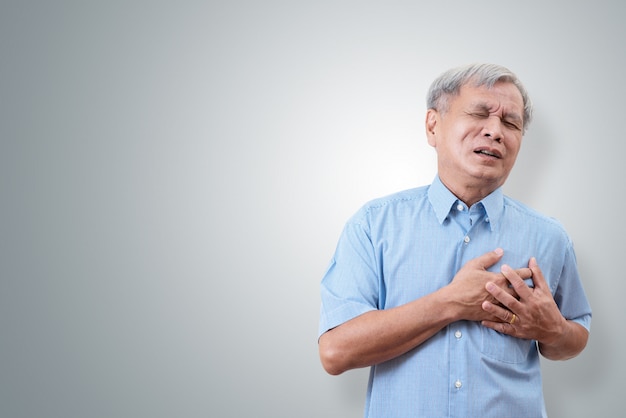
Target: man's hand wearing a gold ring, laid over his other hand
[{"x": 534, "y": 315}]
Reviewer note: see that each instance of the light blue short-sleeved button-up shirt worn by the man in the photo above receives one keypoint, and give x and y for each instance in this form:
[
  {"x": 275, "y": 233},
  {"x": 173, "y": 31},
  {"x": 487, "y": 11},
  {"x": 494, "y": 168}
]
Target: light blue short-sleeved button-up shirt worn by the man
[{"x": 407, "y": 245}]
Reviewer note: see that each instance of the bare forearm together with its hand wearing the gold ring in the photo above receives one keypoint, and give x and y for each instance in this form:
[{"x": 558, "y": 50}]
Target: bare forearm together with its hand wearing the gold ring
[{"x": 537, "y": 316}]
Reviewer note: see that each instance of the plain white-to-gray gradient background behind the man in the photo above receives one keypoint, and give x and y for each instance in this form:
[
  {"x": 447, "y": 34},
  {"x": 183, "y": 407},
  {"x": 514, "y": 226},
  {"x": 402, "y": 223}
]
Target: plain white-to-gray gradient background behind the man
[{"x": 174, "y": 177}]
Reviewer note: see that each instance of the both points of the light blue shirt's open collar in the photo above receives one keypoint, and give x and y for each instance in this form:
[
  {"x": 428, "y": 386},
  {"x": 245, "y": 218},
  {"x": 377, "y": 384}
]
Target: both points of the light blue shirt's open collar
[{"x": 442, "y": 201}]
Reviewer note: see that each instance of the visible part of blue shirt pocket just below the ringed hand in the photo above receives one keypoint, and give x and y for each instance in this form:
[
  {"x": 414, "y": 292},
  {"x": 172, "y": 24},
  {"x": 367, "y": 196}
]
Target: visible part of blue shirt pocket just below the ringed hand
[{"x": 505, "y": 348}]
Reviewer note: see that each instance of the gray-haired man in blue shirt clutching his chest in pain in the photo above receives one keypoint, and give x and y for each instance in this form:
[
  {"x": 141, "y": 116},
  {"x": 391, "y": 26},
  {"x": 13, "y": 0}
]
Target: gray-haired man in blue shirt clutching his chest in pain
[{"x": 450, "y": 292}]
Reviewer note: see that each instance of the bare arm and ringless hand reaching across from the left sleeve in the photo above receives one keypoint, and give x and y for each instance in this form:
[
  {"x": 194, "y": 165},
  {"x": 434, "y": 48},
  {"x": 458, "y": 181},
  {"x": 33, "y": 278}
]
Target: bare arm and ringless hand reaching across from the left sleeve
[{"x": 381, "y": 335}]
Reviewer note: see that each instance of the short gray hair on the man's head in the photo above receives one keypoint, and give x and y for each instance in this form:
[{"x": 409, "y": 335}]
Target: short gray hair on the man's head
[{"x": 450, "y": 83}]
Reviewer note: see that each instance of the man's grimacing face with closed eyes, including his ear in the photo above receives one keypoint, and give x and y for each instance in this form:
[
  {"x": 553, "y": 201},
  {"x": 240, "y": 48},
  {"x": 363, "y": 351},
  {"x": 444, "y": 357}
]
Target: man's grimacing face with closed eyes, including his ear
[{"x": 477, "y": 137}]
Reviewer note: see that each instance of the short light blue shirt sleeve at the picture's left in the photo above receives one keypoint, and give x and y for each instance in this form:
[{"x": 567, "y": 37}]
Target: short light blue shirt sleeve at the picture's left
[{"x": 350, "y": 286}]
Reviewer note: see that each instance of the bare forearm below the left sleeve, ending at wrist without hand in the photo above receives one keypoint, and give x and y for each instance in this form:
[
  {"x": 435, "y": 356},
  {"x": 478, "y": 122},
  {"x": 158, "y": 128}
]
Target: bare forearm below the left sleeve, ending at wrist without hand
[{"x": 381, "y": 335}]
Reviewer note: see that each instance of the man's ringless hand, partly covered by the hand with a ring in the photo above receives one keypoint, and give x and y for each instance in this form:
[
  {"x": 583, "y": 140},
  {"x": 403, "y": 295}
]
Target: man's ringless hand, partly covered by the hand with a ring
[{"x": 469, "y": 286}]
